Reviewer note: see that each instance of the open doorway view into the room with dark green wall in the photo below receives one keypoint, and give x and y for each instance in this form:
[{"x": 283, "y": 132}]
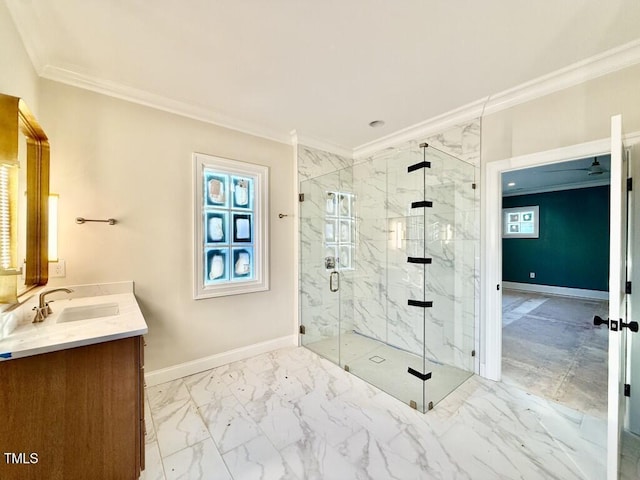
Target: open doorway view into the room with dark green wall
[{"x": 555, "y": 257}]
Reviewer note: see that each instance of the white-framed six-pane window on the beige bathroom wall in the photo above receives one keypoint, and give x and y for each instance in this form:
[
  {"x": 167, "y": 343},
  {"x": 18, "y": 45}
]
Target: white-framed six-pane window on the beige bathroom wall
[{"x": 230, "y": 227}]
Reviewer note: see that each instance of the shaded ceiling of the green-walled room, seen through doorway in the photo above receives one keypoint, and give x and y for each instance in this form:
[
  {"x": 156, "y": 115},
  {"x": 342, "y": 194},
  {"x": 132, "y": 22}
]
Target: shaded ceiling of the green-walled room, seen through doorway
[{"x": 558, "y": 176}]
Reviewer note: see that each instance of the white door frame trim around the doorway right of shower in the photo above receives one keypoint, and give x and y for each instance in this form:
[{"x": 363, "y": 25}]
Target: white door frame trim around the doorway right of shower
[{"x": 491, "y": 242}]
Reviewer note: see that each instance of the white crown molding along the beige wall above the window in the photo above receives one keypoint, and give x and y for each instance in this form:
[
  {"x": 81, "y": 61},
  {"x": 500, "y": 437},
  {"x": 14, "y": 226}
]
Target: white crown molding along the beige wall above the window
[{"x": 159, "y": 102}]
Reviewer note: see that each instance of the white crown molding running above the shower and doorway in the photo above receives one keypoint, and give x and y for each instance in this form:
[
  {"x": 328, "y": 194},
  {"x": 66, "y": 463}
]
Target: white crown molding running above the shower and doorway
[{"x": 607, "y": 62}]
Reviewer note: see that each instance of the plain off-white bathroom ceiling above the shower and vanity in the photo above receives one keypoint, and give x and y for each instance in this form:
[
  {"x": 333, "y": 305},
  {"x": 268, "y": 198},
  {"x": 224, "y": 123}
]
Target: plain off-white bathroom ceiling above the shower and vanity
[{"x": 322, "y": 68}]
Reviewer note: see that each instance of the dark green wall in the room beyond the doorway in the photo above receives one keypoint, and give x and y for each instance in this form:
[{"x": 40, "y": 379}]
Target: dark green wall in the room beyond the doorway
[{"x": 573, "y": 247}]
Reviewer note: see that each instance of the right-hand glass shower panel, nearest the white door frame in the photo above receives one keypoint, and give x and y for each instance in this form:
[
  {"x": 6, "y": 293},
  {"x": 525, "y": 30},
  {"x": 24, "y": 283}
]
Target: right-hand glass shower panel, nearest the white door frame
[{"x": 449, "y": 278}]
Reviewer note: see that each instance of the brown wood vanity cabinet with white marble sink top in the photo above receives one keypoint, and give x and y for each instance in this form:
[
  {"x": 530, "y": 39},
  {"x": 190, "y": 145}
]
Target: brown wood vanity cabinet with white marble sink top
[{"x": 71, "y": 390}]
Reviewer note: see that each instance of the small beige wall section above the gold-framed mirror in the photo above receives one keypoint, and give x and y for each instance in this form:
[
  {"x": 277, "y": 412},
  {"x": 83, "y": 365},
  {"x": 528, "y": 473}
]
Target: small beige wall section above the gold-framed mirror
[{"x": 17, "y": 75}]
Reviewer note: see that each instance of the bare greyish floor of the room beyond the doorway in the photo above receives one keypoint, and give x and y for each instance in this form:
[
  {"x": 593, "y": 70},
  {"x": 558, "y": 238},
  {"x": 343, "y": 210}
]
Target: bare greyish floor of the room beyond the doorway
[{"x": 551, "y": 349}]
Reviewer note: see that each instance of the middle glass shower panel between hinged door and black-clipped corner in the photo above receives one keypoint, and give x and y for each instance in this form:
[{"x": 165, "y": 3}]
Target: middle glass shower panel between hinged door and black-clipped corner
[{"x": 366, "y": 351}]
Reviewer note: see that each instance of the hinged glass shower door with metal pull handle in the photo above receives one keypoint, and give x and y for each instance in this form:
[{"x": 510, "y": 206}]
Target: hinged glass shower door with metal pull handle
[{"x": 326, "y": 257}]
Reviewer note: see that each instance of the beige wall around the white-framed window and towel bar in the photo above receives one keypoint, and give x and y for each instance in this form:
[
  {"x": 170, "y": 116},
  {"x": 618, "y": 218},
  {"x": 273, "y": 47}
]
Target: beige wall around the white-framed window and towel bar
[{"x": 111, "y": 158}]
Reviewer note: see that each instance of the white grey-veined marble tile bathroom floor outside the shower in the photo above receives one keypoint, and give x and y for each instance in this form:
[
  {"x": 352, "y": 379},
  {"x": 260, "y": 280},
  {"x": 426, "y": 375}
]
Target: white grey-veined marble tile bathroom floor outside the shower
[{"x": 290, "y": 414}]
